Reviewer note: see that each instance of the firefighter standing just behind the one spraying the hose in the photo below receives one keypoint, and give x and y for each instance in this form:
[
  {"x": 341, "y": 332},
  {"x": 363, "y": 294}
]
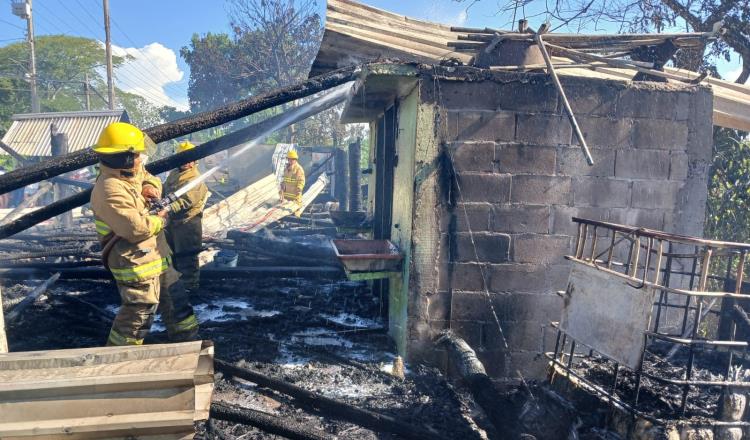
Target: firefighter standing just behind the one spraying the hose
[{"x": 185, "y": 229}]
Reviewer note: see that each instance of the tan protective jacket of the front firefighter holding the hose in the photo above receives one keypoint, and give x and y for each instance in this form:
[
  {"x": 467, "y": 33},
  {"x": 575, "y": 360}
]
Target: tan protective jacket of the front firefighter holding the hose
[{"x": 120, "y": 210}]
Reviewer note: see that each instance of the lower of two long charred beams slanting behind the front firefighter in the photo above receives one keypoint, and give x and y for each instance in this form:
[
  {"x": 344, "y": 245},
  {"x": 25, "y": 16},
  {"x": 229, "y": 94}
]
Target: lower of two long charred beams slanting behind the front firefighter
[{"x": 223, "y": 143}]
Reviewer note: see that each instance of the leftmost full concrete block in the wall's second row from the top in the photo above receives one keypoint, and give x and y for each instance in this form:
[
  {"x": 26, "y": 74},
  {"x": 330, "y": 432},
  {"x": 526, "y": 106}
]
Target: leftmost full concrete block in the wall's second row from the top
[{"x": 481, "y": 126}]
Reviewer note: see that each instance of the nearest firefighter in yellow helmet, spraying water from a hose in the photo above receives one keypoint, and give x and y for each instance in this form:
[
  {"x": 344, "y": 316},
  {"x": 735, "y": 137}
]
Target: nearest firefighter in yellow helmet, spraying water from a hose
[{"x": 133, "y": 246}]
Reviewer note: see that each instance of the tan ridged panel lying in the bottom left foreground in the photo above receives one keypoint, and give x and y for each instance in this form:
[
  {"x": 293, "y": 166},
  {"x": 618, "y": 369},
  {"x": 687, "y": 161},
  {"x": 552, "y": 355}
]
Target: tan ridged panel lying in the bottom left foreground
[{"x": 148, "y": 391}]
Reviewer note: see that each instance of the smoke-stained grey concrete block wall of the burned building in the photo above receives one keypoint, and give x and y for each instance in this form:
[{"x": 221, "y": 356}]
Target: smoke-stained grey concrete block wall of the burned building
[{"x": 504, "y": 225}]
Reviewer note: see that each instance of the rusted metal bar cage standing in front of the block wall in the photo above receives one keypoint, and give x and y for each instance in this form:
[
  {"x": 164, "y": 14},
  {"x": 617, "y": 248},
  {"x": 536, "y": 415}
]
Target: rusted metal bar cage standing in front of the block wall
[{"x": 697, "y": 338}]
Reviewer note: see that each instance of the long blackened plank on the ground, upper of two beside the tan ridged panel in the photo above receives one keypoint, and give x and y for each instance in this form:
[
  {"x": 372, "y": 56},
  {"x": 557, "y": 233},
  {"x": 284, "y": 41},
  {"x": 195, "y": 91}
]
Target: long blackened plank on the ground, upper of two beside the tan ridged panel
[{"x": 332, "y": 407}]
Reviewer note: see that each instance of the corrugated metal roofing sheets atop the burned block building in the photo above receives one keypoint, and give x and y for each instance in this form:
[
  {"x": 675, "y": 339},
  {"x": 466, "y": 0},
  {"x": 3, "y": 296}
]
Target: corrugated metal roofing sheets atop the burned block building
[{"x": 357, "y": 33}]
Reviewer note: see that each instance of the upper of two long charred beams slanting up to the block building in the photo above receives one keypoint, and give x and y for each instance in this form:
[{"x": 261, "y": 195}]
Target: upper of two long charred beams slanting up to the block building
[{"x": 73, "y": 161}]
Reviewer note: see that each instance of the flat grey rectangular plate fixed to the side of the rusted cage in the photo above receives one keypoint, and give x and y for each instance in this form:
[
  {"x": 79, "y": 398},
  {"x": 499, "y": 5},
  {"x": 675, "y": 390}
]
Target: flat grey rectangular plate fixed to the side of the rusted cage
[{"x": 605, "y": 312}]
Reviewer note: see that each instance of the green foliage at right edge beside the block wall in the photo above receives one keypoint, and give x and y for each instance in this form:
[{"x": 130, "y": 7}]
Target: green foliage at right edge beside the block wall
[{"x": 728, "y": 205}]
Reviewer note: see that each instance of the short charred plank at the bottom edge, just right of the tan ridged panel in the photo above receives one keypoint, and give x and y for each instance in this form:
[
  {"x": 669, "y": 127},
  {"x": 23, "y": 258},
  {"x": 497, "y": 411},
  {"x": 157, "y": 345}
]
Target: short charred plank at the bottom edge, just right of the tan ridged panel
[{"x": 265, "y": 422}]
